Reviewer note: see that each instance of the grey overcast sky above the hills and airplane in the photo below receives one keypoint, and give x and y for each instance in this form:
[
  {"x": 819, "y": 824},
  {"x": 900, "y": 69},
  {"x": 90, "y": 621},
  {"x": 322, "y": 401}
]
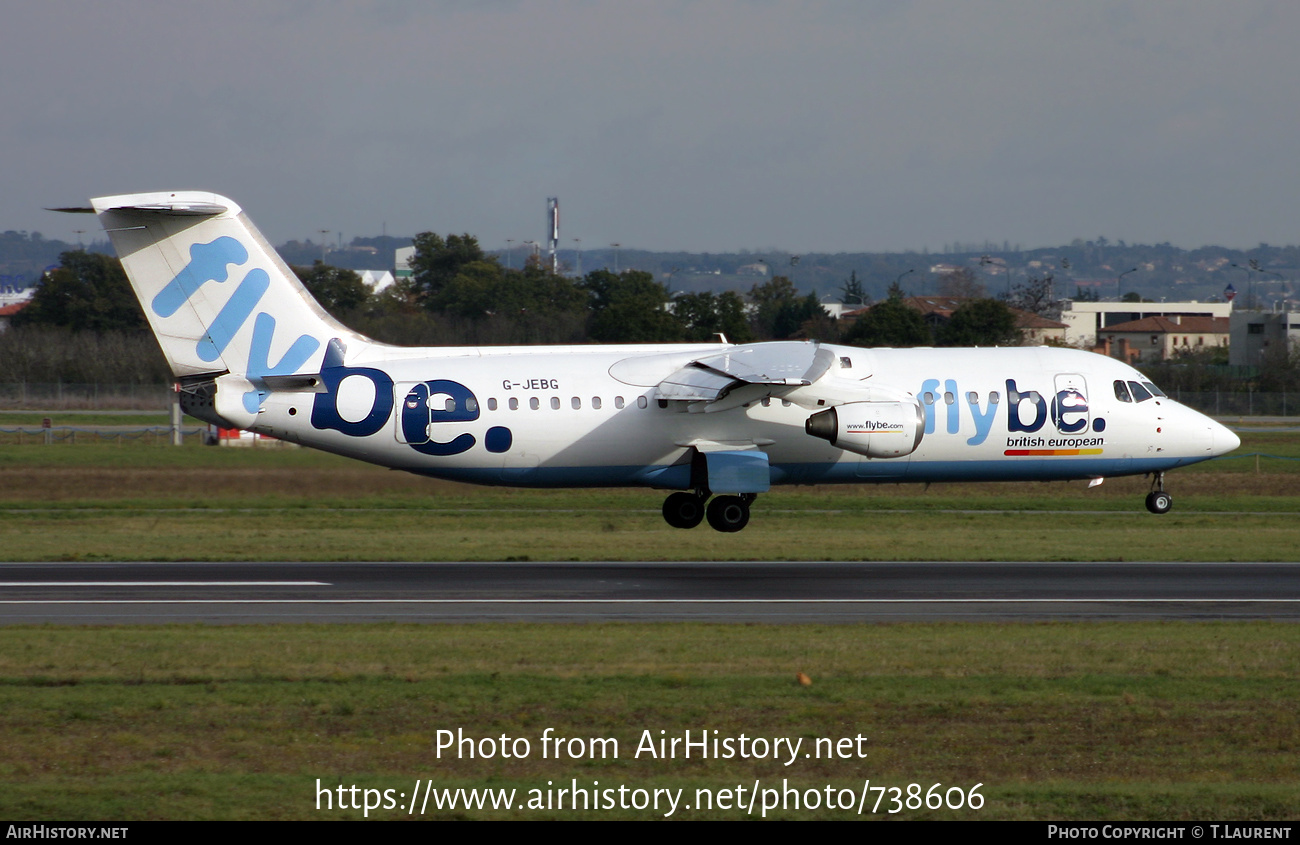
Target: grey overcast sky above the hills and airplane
[{"x": 669, "y": 125}]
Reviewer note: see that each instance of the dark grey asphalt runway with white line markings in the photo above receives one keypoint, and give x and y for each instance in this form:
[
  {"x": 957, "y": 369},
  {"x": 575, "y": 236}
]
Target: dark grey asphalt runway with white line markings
[{"x": 743, "y": 592}]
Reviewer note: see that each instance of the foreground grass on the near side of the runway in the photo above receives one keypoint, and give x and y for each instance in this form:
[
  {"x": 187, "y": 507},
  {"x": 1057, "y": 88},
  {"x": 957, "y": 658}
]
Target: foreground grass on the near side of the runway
[{"x": 1064, "y": 722}]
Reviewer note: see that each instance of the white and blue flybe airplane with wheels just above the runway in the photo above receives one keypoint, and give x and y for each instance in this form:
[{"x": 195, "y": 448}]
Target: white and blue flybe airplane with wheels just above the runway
[{"x": 714, "y": 424}]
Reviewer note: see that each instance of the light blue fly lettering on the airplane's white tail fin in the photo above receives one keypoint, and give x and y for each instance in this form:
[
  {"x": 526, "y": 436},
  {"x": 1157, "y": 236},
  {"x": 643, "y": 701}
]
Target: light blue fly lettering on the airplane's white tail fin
[{"x": 211, "y": 263}]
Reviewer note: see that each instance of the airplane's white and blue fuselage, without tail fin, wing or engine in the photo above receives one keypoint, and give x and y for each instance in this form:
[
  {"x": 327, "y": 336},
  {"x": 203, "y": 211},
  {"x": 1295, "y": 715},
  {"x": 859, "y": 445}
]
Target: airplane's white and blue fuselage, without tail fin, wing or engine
[{"x": 590, "y": 417}]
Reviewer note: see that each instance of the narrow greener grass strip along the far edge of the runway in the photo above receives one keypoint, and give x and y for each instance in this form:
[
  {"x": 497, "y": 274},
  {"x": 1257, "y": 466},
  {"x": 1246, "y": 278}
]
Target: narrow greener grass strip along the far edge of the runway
[{"x": 613, "y": 534}]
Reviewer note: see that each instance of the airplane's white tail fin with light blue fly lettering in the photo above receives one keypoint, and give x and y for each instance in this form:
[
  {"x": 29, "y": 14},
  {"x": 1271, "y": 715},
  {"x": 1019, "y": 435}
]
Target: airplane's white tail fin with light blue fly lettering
[{"x": 220, "y": 301}]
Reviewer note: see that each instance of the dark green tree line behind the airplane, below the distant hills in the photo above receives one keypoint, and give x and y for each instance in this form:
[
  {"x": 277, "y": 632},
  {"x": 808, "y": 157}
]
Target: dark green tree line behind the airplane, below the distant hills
[{"x": 85, "y": 324}]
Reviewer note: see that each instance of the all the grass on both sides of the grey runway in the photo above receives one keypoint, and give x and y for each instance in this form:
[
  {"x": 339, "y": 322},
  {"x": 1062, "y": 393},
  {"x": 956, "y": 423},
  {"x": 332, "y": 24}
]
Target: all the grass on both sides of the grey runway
[{"x": 1055, "y": 721}]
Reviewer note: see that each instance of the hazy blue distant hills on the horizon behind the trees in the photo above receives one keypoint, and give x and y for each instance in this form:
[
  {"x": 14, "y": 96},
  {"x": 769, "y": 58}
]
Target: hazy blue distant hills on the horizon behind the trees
[{"x": 1150, "y": 271}]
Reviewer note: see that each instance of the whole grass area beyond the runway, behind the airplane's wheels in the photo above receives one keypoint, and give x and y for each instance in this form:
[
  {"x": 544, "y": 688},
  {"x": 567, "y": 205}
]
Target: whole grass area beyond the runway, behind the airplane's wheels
[{"x": 140, "y": 501}]
